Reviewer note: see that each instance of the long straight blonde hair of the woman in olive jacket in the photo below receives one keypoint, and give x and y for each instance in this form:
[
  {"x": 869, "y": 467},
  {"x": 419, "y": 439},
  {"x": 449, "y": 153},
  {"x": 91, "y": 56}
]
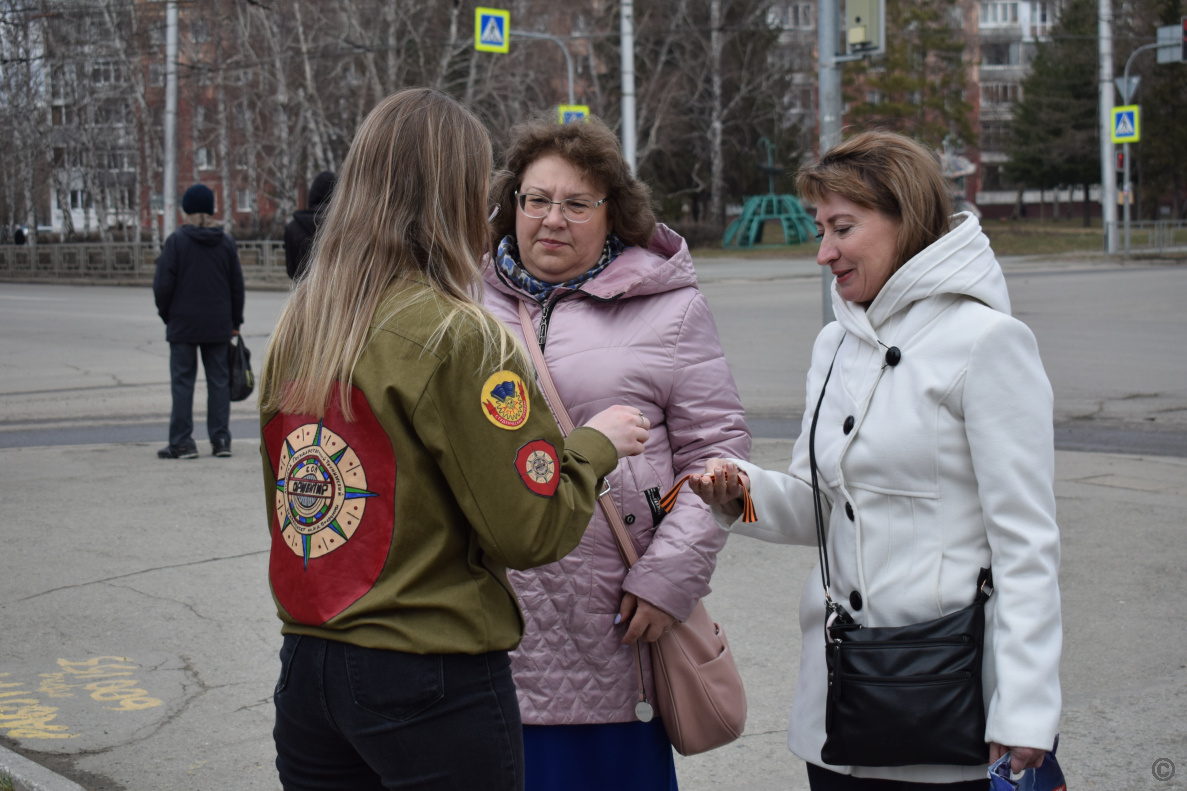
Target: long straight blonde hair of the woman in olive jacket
[{"x": 411, "y": 200}]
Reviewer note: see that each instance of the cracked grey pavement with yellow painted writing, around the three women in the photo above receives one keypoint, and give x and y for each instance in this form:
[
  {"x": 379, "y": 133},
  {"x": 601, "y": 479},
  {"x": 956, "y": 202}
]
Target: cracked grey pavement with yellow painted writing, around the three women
[{"x": 139, "y": 642}]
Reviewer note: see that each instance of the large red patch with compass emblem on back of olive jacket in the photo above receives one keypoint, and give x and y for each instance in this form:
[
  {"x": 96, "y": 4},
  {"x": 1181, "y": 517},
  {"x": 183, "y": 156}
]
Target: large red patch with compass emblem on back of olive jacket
[{"x": 334, "y": 508}]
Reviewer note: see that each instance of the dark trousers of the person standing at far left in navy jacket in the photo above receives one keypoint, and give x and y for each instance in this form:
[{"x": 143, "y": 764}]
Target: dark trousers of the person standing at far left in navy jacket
[{"x": 183, "y": 371}]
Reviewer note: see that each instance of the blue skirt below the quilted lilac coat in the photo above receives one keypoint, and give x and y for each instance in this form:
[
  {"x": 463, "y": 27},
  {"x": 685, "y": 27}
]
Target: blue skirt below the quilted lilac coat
[{"x": 620, "y": 756}]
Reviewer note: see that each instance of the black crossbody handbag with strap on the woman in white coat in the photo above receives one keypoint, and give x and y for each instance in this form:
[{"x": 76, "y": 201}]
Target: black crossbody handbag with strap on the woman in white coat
[{"x": 903, "y": 695}]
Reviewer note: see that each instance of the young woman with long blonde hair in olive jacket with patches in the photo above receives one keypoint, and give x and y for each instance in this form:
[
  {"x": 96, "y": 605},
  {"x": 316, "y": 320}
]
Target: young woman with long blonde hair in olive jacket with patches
[{"x": 410, "y": 460}]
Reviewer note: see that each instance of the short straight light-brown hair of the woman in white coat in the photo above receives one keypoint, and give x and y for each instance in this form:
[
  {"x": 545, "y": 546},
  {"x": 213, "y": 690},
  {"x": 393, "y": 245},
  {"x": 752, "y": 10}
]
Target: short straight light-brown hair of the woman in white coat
[{"x": 891, "y": 174}]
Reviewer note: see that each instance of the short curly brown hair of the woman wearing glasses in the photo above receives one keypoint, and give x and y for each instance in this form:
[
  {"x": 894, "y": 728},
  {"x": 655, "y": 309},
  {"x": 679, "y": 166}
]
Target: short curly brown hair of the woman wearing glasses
[{"x": 593, "y": 149}]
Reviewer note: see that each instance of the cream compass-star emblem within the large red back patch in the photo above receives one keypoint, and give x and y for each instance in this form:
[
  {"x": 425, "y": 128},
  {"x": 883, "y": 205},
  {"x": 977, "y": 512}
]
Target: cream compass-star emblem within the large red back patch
[{"x": 319, "y": 474}]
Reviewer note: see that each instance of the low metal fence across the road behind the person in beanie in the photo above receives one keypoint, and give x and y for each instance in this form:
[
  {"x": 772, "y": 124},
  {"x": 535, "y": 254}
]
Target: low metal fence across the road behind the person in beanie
[{"x": 123, "y": 262}]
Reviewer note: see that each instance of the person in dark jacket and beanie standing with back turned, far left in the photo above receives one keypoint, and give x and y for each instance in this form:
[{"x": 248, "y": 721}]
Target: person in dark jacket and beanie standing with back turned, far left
[{"x": 200, "y": 296}]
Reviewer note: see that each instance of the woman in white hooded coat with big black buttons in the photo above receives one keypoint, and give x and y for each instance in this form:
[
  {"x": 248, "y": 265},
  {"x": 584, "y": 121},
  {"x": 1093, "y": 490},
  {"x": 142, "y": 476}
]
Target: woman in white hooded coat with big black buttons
[{"x": 935, "y": 453}]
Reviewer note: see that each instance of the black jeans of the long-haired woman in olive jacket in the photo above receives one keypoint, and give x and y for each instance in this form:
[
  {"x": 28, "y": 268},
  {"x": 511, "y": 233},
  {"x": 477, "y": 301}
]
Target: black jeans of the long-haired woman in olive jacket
[{"x": 366, "y": 719}]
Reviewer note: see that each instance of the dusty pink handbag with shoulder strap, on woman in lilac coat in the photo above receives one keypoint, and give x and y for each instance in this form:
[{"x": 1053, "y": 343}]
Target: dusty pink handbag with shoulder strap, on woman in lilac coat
[{"x": 699, "y": 688}]
